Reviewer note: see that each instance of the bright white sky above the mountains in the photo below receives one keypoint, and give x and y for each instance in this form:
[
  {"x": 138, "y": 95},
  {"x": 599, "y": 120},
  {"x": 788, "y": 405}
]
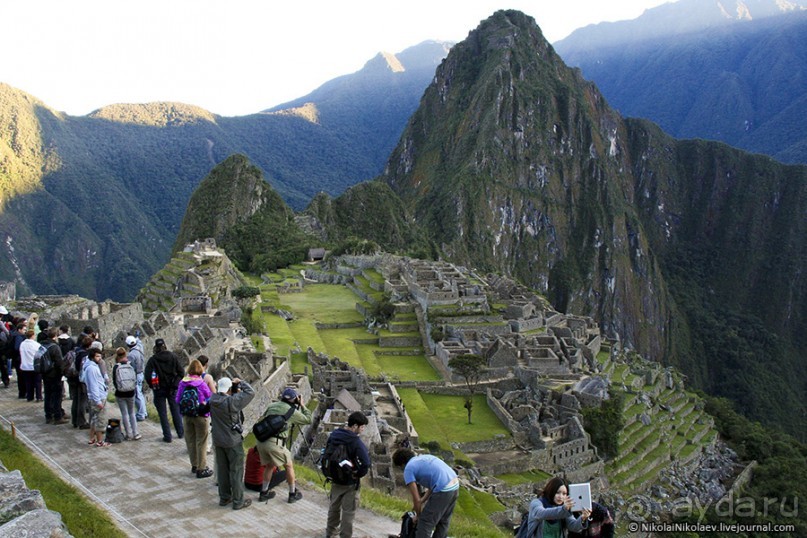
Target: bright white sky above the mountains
[{"x": 241, "y": 56}]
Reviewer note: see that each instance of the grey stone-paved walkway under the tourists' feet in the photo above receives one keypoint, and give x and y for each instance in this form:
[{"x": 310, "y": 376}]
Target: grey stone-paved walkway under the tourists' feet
[{"x": 148, "y": 489}]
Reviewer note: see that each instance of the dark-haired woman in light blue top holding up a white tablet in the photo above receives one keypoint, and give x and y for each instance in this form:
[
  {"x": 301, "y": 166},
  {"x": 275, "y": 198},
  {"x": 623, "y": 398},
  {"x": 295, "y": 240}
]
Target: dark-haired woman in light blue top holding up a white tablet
[{"x": 550, "y": 514}]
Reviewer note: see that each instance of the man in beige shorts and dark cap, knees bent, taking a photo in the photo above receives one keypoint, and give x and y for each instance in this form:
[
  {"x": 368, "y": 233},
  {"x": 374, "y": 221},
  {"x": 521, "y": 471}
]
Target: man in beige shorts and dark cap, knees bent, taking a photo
[{"x": 273, "y": 451}]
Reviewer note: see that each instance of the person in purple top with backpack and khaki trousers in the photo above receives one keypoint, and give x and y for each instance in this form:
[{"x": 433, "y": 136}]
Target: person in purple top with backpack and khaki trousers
[{"x": 197, "y": 422}]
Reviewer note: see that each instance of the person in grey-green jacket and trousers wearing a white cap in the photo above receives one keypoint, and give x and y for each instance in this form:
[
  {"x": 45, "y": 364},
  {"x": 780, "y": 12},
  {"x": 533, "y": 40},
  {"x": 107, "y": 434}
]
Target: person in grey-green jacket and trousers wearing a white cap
[{"x": 226, "y": 406}]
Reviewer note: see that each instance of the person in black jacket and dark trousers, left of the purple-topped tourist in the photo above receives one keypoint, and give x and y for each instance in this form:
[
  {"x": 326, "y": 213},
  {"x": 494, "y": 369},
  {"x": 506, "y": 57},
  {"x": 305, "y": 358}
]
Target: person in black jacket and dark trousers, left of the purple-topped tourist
[{"x": 163, "y": 374}]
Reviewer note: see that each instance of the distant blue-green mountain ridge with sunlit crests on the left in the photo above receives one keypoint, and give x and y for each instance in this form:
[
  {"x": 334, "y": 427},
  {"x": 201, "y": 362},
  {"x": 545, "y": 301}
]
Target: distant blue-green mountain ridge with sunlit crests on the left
[{"x": 92, "y": 204}]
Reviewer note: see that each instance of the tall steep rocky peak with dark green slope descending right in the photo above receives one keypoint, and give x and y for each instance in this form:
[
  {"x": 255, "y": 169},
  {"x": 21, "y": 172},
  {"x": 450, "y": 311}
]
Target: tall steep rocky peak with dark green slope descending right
[{"x": 689, "y": 251}]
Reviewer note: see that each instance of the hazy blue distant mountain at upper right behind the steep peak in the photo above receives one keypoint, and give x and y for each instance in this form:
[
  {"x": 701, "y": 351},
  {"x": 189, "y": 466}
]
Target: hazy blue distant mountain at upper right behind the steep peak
[{"x": 743, "y": 82}]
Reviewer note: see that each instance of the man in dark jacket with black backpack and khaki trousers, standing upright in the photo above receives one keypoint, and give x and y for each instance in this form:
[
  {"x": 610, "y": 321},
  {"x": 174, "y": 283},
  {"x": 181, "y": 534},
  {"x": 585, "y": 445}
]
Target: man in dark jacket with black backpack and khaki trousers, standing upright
[{"x": 344, "y": 461}]
